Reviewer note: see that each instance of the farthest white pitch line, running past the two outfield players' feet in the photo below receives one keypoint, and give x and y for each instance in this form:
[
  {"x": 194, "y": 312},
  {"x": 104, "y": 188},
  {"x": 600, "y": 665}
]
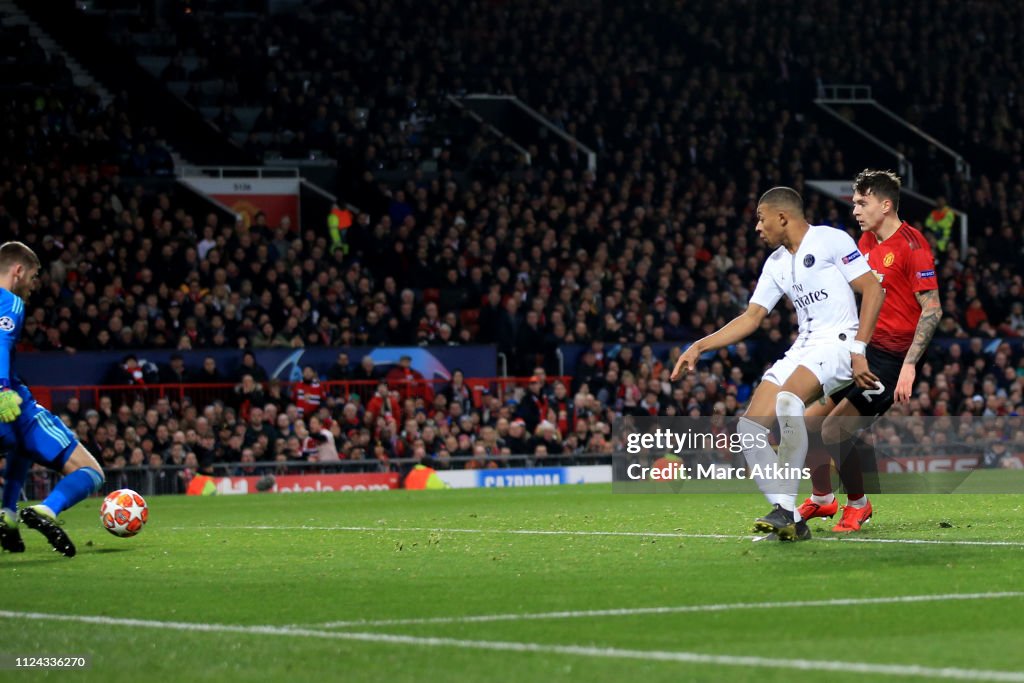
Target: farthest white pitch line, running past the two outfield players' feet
[{"x": 643, "y": 535}]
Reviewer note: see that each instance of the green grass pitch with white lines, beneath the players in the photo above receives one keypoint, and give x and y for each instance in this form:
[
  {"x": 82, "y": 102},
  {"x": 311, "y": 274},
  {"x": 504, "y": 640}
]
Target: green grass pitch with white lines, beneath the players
[{"x": 383, "y": 587}]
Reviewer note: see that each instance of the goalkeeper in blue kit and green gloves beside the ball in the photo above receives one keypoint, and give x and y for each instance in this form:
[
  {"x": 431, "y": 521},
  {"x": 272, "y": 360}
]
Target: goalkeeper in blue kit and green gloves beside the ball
[{"x": 30, "y": 434}]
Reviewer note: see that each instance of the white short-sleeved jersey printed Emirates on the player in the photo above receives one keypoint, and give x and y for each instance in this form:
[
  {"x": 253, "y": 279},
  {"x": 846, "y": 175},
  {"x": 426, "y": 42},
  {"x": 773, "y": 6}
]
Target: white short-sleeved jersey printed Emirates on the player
[{"x": 818, "y": 281}]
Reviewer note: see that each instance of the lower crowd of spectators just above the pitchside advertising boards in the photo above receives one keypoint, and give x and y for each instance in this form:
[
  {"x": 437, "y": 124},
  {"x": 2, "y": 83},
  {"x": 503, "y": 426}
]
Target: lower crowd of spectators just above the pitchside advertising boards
[{"x": 356, "y": 417}]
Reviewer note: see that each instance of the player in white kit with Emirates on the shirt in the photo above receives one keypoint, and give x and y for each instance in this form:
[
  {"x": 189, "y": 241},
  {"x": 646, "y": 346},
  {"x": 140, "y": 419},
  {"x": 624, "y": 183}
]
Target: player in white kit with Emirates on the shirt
[{"x": 820, "y": 269}]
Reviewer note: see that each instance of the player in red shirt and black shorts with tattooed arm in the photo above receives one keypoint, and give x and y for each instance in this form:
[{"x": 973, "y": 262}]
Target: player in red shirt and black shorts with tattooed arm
[{"x": 903, "y": 262}]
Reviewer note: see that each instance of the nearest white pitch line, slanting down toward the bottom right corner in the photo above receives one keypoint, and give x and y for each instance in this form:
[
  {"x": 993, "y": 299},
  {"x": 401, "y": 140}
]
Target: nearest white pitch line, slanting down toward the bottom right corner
[{"x": 950, "y": 673}]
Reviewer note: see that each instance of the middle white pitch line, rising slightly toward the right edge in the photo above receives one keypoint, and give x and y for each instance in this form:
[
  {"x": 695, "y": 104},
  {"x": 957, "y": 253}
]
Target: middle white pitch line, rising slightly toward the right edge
[{"x": 677, "y": 610}]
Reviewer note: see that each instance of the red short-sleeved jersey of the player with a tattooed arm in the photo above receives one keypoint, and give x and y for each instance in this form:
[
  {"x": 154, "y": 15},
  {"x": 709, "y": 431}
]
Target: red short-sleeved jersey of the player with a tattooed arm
[{"x": 905, "y": 266}]
